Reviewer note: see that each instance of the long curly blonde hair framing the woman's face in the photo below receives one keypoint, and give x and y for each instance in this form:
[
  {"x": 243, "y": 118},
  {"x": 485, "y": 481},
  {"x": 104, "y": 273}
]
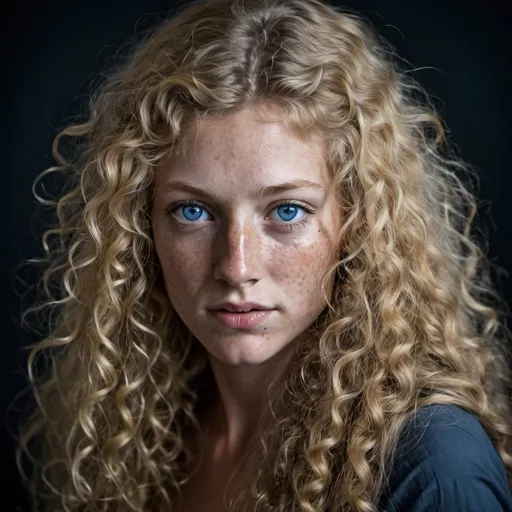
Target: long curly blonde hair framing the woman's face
[{"x": 413, "y": 318}]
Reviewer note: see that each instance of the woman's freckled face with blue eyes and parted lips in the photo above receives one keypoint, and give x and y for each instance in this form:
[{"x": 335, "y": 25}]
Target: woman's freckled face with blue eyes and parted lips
[{"x": 247, "y": 214}]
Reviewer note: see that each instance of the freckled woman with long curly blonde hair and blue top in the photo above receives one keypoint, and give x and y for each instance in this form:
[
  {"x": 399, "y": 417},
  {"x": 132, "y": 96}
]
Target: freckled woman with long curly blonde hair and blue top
[{"x": 269, "y": 295}]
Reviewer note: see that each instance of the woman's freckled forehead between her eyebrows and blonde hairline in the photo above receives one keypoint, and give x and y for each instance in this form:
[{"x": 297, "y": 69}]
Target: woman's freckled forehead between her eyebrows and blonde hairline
[{"x": 244, "y": 148}]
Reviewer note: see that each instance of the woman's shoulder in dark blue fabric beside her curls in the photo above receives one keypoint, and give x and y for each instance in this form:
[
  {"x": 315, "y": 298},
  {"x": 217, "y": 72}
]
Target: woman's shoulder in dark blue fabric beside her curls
[{"x": 444, "y": 460}]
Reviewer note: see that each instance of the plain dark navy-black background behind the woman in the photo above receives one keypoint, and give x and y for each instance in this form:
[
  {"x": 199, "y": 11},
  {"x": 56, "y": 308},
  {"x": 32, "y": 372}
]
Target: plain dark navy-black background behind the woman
[{"x": 52, "y": 50}]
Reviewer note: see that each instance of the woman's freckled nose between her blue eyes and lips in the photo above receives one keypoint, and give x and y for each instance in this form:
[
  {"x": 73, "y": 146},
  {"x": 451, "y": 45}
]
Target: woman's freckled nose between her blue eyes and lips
[{"x": 238, "y": 255}]
